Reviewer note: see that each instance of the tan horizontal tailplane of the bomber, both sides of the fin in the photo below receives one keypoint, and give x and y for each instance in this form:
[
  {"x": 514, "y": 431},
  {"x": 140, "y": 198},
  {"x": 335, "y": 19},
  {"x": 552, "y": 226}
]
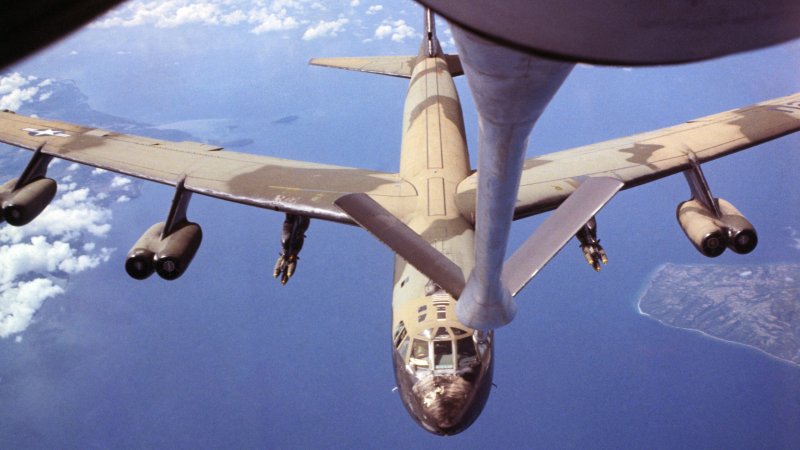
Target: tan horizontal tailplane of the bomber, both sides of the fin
[{"x": 395, "y": 66}]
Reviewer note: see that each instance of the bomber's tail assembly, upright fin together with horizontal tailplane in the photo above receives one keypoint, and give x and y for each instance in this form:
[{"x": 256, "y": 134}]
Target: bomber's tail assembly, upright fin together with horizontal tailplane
[{"x": 397, "y": 66}]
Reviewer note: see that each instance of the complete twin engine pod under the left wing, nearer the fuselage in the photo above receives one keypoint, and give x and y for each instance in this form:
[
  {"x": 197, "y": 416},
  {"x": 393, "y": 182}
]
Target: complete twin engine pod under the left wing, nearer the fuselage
[{"x": 169, "y": 256}]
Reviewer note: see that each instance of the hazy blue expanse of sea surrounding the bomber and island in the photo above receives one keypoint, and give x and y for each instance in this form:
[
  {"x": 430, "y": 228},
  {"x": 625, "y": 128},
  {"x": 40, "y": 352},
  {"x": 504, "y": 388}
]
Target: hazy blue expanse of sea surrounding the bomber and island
[{"x": 226, "y": 357}]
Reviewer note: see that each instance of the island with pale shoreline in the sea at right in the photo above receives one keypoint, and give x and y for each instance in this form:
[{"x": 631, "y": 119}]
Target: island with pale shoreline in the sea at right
[{"x": 756, "y": 305}]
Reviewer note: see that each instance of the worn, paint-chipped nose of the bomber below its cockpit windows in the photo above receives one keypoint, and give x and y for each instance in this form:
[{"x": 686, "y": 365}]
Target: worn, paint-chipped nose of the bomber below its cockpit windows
[{"x": 446, "y": 402}]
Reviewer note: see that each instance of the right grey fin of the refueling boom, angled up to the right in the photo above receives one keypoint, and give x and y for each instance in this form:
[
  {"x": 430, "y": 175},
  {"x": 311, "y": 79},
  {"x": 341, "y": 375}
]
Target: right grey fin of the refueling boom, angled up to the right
[{"x": 557, "y": 230}]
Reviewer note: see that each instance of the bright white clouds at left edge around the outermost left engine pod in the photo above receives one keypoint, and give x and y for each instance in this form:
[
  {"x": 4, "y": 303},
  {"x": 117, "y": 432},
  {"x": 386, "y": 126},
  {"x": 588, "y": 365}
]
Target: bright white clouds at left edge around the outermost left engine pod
[{"x": 37, "y": 259}]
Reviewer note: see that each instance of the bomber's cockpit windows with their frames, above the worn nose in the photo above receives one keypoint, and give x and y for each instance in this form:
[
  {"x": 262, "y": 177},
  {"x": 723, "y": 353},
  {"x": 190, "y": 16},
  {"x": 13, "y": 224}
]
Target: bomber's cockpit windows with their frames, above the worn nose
[{"x": 441, "y": 349}]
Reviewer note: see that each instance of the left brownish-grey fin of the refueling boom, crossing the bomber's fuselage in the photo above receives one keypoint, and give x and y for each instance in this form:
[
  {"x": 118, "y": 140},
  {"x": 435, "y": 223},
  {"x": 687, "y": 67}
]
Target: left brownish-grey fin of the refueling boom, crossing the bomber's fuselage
[{"x": 403, "y": 241}]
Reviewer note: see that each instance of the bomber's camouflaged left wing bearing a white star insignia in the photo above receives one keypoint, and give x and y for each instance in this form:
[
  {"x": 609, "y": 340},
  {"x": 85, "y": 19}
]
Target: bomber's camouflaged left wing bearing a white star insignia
[{"x": 272, "y": 183}]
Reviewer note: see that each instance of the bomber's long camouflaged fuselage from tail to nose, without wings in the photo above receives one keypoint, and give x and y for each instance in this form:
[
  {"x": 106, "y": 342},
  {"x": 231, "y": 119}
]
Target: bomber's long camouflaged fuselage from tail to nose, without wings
[{"x": 443, "y": 368}]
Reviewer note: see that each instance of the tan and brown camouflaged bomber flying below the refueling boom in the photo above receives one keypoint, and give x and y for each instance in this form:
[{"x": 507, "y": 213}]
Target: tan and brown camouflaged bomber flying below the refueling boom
[{"x": 426, "y": 212}]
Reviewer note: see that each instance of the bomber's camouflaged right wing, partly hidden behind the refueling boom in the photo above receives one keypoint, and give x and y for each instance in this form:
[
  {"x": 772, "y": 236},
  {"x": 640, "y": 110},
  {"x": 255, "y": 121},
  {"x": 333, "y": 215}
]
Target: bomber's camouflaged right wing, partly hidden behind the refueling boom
[{"x": 548, "y": 180}]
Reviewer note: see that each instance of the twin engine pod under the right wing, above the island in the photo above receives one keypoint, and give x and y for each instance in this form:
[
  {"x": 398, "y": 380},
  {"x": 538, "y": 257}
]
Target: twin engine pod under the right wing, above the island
[{"x": 711, "y": 234}]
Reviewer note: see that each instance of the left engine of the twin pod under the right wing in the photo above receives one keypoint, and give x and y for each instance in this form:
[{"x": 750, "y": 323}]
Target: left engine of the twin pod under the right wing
[{"x": 704, "y": 230}]
